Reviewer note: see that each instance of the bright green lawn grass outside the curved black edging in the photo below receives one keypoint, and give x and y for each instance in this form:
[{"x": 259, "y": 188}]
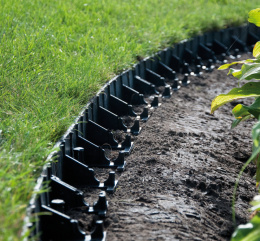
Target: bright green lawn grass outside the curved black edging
[{"x": 55, "y": 54}]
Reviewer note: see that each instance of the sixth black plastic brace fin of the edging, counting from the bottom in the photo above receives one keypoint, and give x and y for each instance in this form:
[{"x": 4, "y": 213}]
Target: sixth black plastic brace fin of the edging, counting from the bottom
[{"x": 109, "y": 120}]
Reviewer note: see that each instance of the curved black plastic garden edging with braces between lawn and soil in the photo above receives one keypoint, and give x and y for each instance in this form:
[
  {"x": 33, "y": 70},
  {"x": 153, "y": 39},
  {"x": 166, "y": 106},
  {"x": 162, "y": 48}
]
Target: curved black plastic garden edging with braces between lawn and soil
[{"x": 80, "y": 148}]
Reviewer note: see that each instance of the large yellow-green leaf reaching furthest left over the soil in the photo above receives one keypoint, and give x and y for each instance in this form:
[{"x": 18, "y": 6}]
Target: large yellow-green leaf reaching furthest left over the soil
[{"x": 251, "y": 89}]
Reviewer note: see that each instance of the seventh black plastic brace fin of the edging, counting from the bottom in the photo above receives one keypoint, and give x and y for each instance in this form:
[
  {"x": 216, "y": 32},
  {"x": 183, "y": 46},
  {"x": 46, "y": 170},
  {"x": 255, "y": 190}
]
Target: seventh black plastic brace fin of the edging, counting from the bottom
[{"x": 120, "y": 107}]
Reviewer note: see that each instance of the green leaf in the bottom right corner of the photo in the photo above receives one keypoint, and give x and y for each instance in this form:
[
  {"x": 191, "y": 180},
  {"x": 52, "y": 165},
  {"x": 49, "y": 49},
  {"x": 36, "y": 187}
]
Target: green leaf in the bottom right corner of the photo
[{"x": 249, "y": 231}]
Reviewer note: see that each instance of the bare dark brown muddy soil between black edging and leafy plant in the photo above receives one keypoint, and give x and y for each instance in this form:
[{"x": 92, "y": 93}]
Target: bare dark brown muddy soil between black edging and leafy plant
[{"x": 179, "y": 178}]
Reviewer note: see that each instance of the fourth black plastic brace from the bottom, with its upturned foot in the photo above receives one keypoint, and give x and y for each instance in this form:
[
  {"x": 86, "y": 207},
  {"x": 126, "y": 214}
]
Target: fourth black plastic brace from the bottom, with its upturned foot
[{"x": 95, "y": 155}]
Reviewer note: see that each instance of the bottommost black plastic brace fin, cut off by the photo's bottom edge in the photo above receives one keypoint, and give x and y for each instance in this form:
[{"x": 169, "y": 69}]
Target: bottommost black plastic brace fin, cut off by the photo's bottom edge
[{"x": 57, "y": 226}]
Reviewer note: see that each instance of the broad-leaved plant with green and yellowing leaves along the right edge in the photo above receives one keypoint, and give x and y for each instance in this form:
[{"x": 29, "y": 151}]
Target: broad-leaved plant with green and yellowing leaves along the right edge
[{"x": 249, "y": 72}]
